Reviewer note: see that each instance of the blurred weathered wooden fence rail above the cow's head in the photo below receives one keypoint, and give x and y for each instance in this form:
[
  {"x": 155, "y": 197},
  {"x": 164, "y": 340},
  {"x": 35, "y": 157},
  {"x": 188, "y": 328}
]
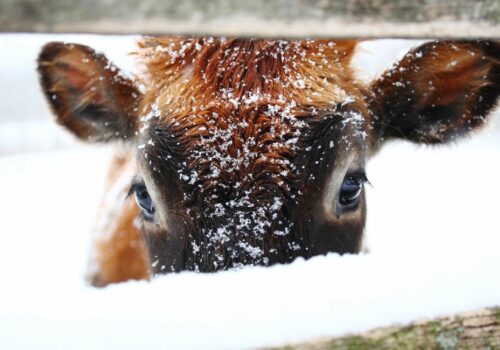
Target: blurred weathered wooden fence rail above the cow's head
[{"x": 270, "y": 18}]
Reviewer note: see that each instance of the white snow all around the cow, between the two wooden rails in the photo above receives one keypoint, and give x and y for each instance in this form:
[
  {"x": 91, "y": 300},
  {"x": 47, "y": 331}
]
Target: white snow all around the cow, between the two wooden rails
[{"x": 432, "y": 232}]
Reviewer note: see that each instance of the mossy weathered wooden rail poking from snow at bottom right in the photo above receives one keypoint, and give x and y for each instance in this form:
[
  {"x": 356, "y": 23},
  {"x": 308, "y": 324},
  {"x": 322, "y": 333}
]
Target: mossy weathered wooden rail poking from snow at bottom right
[{"x": 473, "y": 330}]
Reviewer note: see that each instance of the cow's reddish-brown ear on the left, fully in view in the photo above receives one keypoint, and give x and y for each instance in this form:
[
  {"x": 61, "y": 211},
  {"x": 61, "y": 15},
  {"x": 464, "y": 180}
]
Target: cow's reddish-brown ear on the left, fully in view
[{"x": 88, "y": 94}]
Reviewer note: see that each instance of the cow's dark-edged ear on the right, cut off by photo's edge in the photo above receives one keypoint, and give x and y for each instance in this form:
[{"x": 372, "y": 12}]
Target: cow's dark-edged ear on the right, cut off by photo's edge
[{"x": 438, "y": 92}]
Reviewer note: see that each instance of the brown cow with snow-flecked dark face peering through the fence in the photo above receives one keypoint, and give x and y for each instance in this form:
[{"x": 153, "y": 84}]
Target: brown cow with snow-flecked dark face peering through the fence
[{"x": 234, "y": 152}]
